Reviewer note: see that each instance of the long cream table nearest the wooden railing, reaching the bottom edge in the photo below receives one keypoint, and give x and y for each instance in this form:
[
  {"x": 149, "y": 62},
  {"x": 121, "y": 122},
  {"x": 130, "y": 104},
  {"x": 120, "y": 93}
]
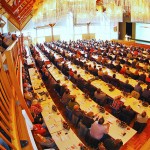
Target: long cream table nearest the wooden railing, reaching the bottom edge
[{"x": 54, "y": 120}]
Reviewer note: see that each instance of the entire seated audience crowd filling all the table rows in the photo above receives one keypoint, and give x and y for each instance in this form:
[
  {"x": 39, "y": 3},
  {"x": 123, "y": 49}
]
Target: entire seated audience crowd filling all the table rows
[{"x": 94, "y": 128}]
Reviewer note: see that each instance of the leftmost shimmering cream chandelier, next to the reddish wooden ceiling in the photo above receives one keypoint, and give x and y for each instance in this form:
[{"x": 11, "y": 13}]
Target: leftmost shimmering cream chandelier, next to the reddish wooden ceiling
[{"x": 50, "y": 11}]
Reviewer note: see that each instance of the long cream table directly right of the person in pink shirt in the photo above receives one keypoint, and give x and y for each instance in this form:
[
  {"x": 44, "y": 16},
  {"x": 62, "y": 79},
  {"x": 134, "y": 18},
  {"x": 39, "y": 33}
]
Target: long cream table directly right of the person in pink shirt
[{"x": 88, "y": 105}]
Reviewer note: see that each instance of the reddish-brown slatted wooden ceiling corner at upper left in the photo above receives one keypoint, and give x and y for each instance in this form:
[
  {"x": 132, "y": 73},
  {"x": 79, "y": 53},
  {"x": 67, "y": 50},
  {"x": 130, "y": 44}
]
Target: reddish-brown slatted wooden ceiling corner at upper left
[{"x": 19, "y": 12}]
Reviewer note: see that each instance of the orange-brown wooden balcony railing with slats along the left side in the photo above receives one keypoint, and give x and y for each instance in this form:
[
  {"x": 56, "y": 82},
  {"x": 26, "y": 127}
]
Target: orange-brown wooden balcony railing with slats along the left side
[{"x": 11, "y": 97}]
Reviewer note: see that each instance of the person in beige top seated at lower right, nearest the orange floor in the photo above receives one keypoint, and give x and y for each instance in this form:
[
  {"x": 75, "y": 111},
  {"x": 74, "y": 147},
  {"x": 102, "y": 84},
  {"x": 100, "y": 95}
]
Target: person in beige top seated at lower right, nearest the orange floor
[{"x": 141, "y": 122}]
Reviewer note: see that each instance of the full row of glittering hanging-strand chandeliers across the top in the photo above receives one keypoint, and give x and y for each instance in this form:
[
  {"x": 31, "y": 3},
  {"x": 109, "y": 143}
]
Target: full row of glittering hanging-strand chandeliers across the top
[{"x": 84, "y": 11}]
